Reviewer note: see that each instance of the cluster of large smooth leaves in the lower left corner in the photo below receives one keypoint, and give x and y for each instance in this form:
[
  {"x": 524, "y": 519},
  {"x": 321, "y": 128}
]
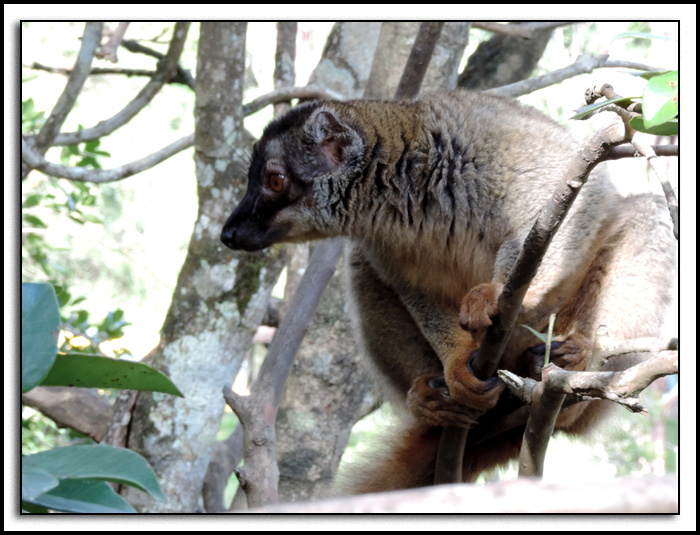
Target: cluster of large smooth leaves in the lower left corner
[{"x": 73, "y": 478}]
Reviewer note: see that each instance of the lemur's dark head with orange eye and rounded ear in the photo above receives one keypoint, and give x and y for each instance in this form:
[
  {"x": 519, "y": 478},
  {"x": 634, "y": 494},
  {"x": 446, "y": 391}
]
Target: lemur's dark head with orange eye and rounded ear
[{"x": 303, "y": 150}]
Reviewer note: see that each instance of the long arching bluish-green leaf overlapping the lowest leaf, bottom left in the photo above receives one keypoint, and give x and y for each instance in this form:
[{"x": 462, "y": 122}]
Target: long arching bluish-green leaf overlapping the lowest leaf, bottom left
[{"x": 102, "y": 462}]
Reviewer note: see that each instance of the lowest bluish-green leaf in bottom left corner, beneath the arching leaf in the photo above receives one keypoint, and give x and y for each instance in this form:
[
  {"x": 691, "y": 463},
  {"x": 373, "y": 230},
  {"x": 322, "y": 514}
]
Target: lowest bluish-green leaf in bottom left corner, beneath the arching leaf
[{"x": 83, "y": 496}]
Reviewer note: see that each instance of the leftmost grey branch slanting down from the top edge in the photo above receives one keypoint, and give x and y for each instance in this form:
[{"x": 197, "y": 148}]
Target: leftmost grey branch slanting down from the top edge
[{"x": 50, "y": 131}]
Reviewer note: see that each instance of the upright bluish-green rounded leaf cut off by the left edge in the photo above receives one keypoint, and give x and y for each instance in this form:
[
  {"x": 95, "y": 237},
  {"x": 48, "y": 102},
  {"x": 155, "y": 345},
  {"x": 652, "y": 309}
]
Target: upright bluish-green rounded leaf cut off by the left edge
[{"x": 39, "y": 321}]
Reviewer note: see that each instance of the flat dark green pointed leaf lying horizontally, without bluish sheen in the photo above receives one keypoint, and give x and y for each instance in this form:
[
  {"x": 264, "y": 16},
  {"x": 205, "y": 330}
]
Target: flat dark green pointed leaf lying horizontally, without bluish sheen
[{"x": 104, "y": 372}]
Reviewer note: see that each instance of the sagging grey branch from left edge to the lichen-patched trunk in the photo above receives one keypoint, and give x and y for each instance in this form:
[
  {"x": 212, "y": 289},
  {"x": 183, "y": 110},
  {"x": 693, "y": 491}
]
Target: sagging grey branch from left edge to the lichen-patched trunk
[{"x": 100, "y": 176}]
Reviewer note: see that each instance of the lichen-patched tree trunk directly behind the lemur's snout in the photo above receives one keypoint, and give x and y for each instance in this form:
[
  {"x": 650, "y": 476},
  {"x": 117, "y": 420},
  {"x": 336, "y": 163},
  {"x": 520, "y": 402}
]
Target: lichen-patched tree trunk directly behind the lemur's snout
[{"x": 220, "y": 296}]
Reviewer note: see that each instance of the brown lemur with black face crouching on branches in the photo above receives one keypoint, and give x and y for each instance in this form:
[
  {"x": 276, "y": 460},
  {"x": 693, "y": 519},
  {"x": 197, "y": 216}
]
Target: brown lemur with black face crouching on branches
[{"x": 436, "y": 197}]
